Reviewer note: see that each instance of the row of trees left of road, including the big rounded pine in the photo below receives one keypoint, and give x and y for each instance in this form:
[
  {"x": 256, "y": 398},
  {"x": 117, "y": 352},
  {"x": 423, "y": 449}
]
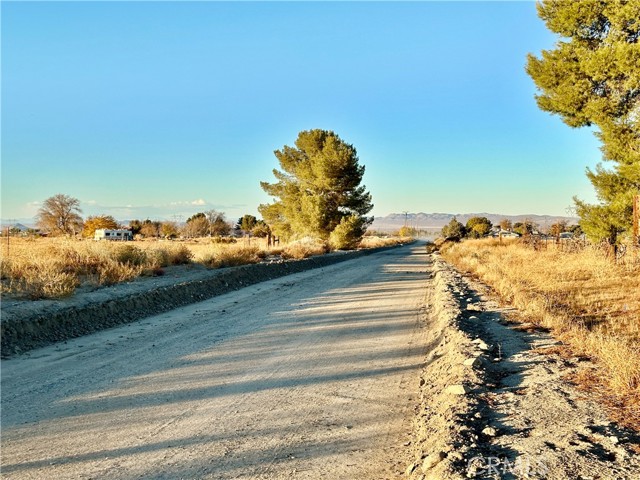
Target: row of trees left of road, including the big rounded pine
[{"x": 318, "y": 194}]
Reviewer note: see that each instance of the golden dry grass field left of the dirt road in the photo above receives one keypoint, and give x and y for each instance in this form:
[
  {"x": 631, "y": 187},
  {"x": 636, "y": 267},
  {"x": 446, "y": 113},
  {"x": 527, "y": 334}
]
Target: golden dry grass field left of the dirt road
[{"x": 38, "y": 268}]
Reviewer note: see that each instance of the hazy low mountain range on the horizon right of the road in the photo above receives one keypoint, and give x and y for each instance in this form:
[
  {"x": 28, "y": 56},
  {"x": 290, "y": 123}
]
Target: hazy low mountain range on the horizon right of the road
[{"x": 435, "y": 221}]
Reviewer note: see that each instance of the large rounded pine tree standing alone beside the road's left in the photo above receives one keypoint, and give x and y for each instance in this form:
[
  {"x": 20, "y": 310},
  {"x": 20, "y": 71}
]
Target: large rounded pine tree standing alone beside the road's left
[{"x": 318, "y": 188}]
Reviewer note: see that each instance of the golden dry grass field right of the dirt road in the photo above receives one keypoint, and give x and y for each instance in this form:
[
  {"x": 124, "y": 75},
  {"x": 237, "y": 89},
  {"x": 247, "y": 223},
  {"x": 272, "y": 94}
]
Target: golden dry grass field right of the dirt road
[{"x": 589, "y": 302}]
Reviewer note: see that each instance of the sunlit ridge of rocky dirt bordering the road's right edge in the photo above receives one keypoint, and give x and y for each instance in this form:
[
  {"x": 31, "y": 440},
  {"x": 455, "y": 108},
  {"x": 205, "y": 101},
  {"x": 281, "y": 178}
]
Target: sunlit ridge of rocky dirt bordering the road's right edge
[{"x": 438, "y": 445}]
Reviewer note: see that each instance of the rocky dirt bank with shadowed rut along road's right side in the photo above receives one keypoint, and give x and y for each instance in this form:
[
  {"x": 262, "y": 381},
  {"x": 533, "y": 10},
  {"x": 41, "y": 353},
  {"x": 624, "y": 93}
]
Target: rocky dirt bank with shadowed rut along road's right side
[{"x": 496, "y": 404}]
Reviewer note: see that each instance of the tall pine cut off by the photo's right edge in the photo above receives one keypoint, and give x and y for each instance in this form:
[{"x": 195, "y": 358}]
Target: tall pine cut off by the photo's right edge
[{"x": 592, "y": 78}]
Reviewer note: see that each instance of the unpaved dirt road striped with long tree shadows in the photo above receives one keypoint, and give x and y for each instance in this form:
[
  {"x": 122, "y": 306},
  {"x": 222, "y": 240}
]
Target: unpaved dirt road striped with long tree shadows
[{"x": 314, "y": 375}]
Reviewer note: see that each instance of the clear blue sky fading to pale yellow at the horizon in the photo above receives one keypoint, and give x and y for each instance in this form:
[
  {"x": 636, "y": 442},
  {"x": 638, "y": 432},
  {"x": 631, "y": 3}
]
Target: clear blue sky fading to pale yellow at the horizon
[{"x": 163, "y": 109}]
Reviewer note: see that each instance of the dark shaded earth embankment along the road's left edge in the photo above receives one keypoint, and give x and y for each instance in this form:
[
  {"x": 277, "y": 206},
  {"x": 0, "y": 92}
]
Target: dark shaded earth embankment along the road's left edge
[{"x": 25, "y": 325}]
